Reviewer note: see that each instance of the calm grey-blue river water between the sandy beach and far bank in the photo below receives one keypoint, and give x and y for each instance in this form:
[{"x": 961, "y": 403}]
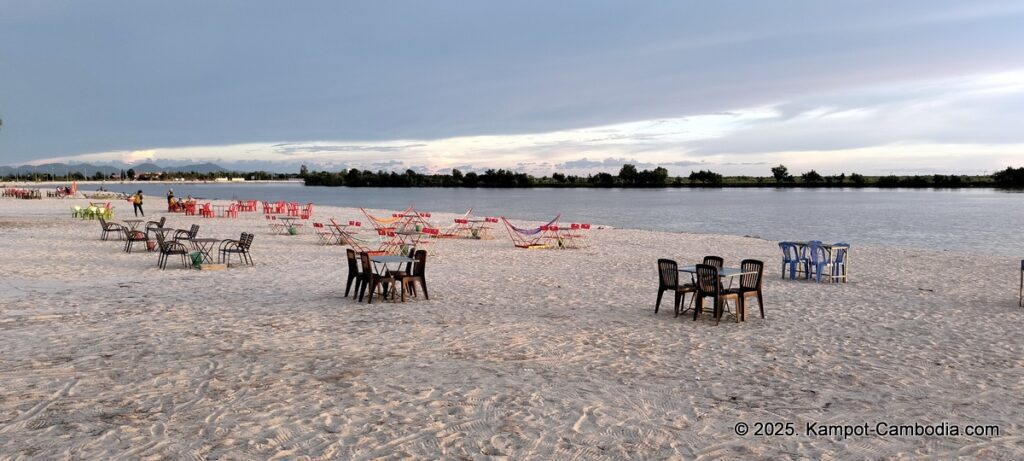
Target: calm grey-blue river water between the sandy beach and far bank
[{"x": 985, "y": 221}]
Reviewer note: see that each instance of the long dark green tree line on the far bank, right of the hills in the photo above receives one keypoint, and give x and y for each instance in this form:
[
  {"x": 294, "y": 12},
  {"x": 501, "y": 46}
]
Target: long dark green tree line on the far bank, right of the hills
[{"x": 630, "y": 177}]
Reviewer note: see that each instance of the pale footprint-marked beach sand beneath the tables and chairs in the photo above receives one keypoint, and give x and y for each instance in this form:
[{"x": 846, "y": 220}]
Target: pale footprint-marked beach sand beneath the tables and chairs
[{"x": 519, "y": 354}]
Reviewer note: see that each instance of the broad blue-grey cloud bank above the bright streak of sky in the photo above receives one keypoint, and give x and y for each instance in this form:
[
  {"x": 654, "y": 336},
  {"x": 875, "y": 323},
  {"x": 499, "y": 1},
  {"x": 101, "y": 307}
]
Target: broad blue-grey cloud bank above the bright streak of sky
[{"x": 204, "y": 76}]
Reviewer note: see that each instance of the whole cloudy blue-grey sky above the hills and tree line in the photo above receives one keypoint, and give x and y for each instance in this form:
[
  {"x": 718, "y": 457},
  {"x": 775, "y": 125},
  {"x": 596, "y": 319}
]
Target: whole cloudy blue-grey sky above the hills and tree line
[{"x": 875, "y": 88}]
